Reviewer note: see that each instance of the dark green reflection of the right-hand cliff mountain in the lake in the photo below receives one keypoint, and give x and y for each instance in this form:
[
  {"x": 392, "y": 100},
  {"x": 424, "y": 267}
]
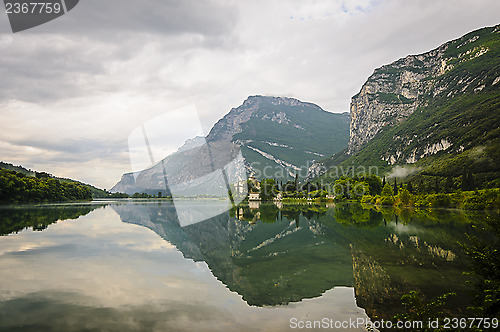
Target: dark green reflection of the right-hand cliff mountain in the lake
[{"x": 395, "y": 251}]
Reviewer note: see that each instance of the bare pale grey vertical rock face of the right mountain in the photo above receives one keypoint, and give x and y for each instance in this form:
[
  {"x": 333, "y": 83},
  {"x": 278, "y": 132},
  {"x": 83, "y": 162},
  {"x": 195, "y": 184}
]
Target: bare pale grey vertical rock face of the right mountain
[{"x": 391, "y": 94}]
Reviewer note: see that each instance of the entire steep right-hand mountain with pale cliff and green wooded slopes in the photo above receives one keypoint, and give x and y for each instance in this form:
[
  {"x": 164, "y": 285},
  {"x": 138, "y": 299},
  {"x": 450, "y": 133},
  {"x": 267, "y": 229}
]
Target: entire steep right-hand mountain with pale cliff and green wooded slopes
[{"x": 439, "y": 111}]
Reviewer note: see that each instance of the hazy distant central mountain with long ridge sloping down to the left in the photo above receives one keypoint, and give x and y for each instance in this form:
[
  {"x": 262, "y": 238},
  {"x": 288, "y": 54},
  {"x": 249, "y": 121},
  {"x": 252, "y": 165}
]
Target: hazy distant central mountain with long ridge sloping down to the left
[{"x": 274, "y": 137}]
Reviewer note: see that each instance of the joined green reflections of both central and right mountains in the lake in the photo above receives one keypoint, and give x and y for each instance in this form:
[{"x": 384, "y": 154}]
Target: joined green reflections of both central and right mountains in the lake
[{"x": 274, "y": 254}]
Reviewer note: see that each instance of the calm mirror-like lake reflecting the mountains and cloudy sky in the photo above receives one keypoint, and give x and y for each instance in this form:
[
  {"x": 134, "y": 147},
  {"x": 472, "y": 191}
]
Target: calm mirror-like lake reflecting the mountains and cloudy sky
[{"x": 141, "y": 266}]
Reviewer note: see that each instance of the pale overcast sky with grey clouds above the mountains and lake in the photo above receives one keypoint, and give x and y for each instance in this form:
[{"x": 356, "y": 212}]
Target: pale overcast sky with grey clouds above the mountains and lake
[{"x": 73, "y": 90}]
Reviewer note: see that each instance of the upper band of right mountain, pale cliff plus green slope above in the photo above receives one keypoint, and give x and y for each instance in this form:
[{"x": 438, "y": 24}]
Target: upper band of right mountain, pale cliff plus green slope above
[{"x": 396, "y": 90}]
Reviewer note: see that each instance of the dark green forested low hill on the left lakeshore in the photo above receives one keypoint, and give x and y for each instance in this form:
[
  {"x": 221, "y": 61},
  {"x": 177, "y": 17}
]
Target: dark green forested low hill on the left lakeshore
[{"x": 18, "y": 187}]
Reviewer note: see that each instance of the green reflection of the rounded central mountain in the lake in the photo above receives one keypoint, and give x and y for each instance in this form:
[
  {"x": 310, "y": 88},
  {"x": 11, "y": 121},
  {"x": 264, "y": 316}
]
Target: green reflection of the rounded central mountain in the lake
[{"x": 275, "y": 257}]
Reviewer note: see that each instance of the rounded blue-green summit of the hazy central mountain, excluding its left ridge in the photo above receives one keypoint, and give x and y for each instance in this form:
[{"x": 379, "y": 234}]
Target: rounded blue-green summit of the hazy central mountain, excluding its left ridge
[{"x": 284, "y": 135}]
